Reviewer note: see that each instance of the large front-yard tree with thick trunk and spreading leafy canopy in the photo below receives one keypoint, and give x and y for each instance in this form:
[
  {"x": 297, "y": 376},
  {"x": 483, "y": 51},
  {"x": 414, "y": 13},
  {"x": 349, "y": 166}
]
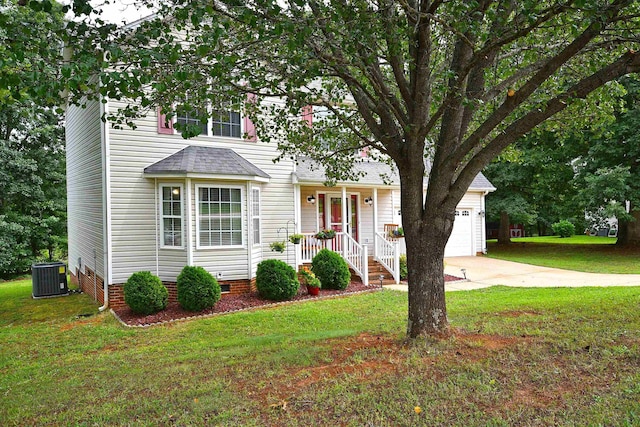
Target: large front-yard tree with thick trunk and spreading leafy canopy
[{"x": 445, "y": 85}]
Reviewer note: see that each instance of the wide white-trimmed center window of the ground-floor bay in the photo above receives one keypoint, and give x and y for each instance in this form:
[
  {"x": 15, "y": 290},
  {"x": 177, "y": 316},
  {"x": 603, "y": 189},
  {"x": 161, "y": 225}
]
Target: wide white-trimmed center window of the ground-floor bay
[{"x": 219, "y": 216}]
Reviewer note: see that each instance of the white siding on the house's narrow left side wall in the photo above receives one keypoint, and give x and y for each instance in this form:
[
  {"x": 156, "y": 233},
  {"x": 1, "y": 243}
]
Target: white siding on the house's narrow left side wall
[{"x": 85, "y": 195}]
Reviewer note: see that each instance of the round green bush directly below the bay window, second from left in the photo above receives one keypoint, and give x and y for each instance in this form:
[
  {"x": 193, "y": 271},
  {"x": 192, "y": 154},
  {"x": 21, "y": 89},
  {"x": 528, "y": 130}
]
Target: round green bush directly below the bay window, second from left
[{"x": 197, "y": 289}]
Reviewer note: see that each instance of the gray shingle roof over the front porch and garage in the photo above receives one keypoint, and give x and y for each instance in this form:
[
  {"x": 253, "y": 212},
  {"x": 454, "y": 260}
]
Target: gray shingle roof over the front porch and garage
[{"x": 310, "y": 171}]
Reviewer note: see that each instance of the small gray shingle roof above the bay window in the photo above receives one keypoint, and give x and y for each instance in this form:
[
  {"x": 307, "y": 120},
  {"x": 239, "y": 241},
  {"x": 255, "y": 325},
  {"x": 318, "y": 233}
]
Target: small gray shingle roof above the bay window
[{"x": 205, "y": 160}]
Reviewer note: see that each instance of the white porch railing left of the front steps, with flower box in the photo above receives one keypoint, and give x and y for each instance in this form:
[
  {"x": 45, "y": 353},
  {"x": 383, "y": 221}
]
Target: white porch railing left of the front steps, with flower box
[{"x": 354, "y": 253}]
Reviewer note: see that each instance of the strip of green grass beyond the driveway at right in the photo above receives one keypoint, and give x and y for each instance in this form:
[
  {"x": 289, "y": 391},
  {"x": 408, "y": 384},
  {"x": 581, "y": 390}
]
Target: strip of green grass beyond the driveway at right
[{"x": 580, "y": 253}]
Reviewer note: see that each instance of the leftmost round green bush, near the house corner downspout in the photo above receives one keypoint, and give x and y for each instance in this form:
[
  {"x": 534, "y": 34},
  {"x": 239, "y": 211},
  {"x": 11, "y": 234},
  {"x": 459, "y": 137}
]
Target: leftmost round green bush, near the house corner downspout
[{"x": 144, "y": 293}]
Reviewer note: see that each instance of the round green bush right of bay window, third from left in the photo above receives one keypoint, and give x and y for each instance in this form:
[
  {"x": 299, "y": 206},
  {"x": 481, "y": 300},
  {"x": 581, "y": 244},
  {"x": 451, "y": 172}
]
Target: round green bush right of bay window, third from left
[{"x": 276, "y": 280}]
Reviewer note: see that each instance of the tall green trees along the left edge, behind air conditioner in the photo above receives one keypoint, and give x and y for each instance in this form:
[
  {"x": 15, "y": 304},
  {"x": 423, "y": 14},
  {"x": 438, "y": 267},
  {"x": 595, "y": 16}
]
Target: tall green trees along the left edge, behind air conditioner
[{"x": 32, "y": 169}]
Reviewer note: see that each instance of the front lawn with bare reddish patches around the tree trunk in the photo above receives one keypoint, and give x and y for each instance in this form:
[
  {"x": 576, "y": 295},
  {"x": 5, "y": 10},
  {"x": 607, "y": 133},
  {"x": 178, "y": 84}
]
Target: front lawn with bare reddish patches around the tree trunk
[{"x": 519, "y": 357}]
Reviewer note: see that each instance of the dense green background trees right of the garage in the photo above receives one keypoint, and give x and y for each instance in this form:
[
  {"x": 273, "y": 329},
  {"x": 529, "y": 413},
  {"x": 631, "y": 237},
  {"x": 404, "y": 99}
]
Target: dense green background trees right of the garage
[{"x": 556, "y": 175}]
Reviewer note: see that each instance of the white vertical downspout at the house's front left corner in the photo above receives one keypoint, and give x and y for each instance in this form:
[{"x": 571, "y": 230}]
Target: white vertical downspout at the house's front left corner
[{"x": 106, "y": 199}]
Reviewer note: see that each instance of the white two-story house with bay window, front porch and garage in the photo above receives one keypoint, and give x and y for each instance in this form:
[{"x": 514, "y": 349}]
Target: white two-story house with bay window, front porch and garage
[{"x": 147, "y": 199}]
